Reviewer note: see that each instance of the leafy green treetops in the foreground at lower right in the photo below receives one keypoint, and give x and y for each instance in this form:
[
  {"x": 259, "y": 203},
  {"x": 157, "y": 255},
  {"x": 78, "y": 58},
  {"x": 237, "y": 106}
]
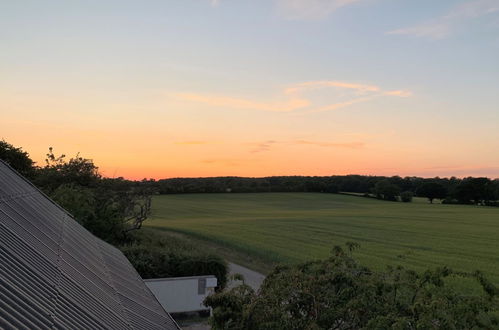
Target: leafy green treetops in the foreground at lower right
[{"x": 338, "y": 293}]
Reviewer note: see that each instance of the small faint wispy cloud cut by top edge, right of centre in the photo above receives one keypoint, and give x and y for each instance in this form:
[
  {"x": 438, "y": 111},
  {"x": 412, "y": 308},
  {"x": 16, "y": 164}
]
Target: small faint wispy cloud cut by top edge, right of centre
[{"x": 310, "y": 9}]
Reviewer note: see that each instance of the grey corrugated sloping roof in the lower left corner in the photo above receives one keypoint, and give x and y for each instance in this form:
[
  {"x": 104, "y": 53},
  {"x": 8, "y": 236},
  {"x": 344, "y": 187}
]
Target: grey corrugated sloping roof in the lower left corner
[{"x": 54, "y": 274}]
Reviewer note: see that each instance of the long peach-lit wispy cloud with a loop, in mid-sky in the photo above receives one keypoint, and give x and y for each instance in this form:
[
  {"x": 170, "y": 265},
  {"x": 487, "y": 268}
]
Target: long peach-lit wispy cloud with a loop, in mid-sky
[{"x": 293, "y": 100}]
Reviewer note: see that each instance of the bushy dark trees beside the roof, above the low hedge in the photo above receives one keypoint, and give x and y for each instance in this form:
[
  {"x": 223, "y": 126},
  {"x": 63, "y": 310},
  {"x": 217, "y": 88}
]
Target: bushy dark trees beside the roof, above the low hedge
[{"x": 108, "y": 208}]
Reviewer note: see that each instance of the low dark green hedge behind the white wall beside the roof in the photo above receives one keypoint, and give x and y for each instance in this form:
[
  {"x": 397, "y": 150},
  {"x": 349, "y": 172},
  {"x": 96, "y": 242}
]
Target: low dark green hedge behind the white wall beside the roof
[{"x": 154, "y": 256}]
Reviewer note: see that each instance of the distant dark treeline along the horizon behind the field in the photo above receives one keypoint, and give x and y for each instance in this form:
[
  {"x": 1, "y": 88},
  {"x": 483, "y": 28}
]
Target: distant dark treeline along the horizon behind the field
[{"x": 469, "y": 190}]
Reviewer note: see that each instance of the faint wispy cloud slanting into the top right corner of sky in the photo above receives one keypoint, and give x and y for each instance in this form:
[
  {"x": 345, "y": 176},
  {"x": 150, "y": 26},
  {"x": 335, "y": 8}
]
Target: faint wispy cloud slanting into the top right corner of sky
[{"x": 444, "y": 25}]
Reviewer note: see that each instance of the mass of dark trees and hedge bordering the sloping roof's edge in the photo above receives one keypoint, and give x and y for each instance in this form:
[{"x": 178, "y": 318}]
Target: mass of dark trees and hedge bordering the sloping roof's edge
[{"x": 114, "y": 210}]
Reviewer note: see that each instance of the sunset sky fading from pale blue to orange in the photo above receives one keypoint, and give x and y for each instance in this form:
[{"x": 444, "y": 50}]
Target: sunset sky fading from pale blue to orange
[{"x": 195, "y": 88}]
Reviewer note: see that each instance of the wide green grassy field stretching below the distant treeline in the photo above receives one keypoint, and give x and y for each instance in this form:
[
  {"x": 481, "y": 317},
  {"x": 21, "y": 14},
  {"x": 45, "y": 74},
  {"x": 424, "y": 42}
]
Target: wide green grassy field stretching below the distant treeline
[{"x": 293, "y": 227}]
